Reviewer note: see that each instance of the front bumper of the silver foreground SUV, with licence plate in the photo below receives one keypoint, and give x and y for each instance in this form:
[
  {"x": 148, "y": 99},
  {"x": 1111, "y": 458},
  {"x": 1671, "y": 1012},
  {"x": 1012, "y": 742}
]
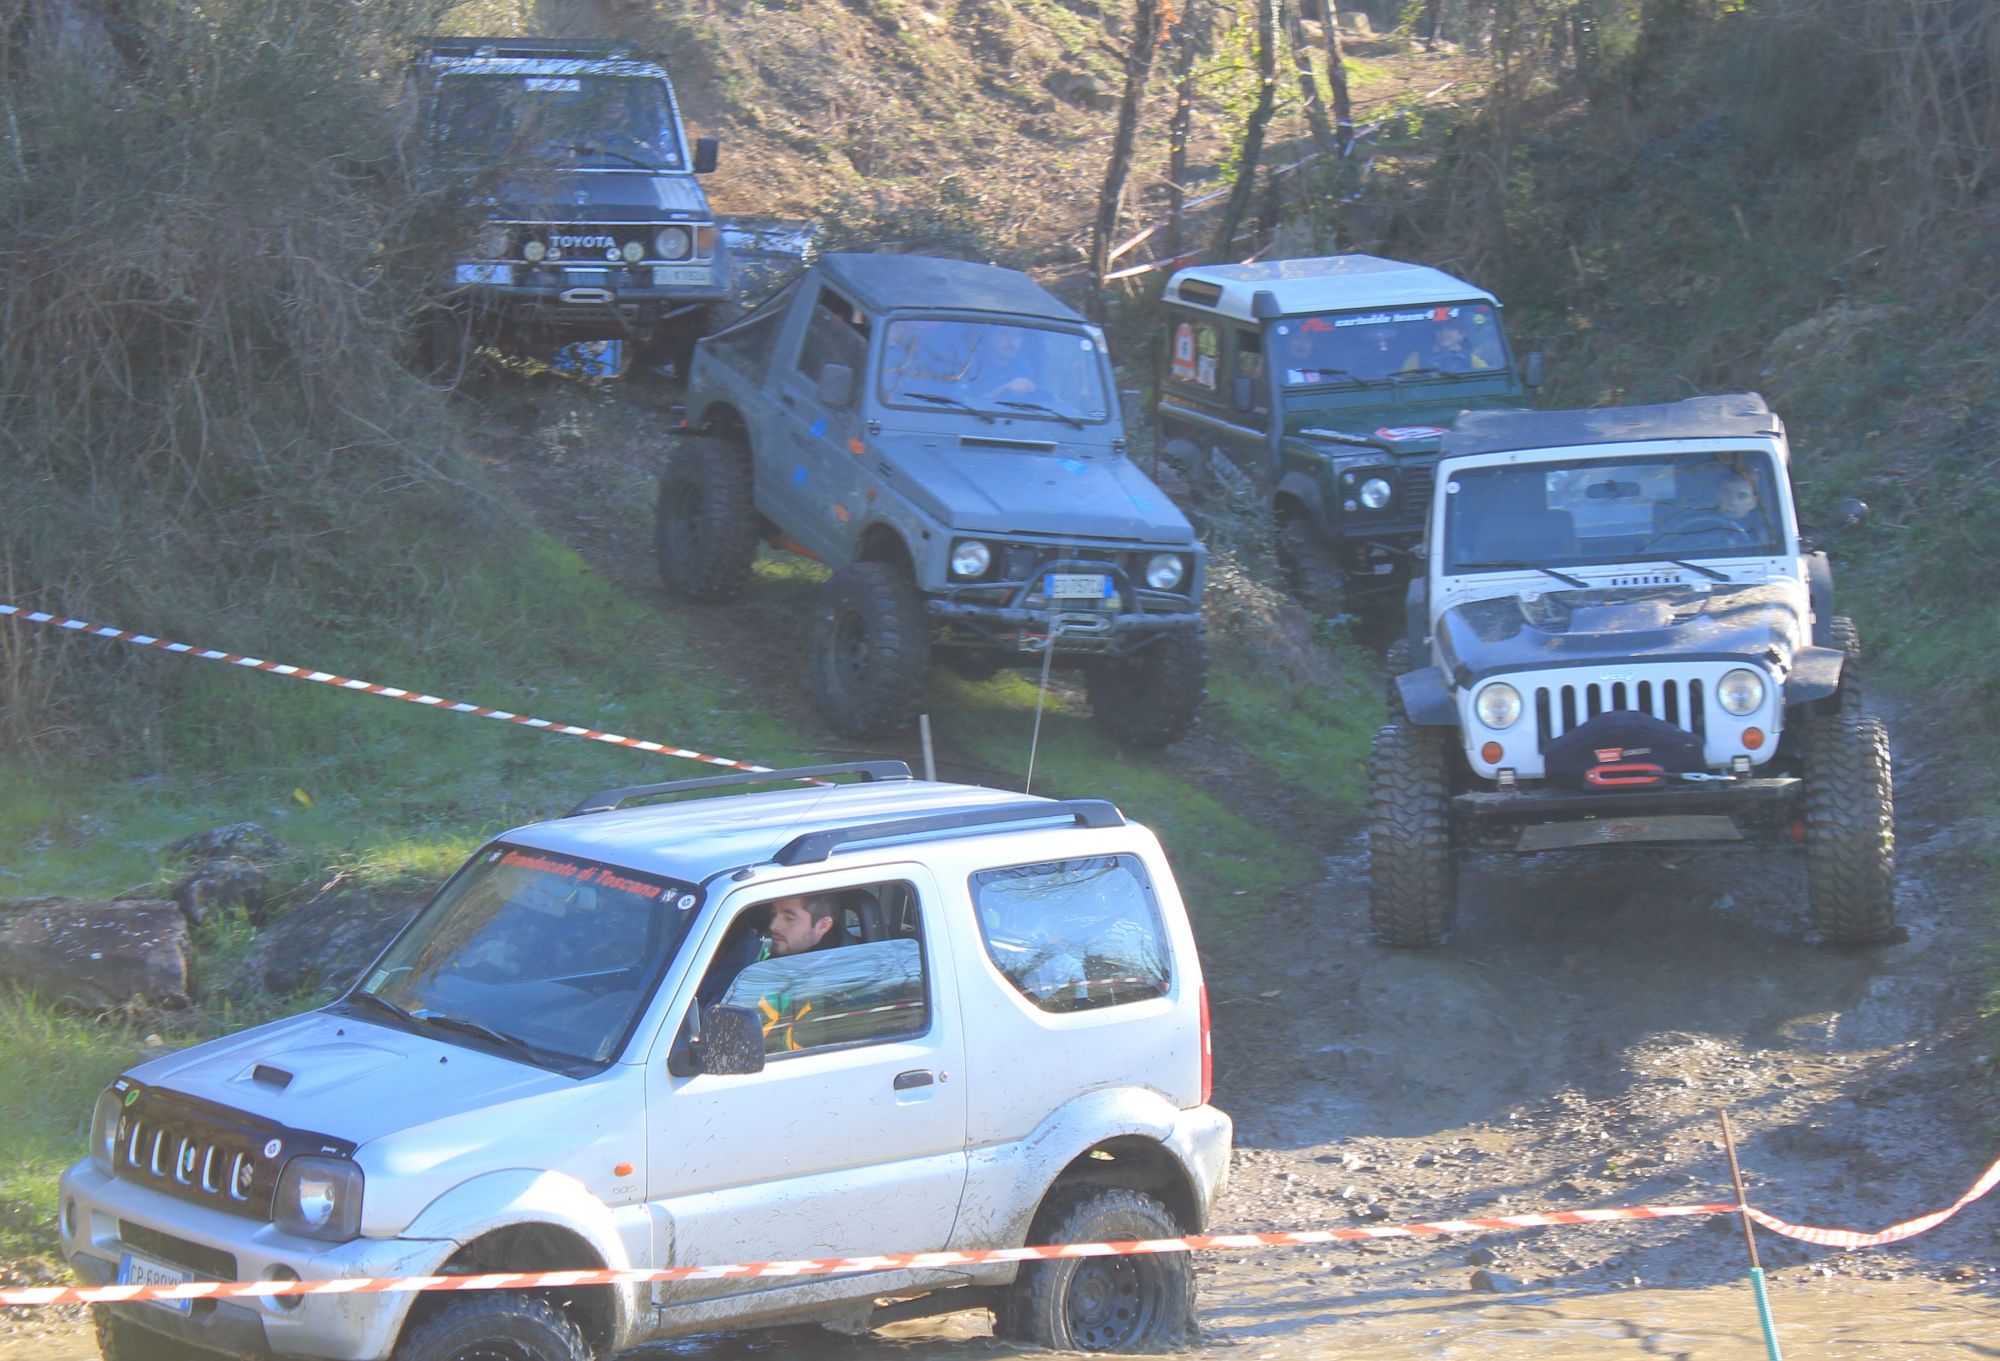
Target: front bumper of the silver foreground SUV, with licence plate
[{"x": 105, "y": 1218}]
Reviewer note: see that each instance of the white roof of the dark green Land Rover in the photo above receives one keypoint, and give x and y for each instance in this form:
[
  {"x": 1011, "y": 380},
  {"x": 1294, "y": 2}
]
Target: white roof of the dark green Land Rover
[{"x": 1319, "y": 285}]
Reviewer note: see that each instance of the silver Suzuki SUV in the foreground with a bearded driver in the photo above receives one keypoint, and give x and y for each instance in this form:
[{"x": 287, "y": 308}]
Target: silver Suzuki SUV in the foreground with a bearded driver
[{"x": 583, "y": 1054}]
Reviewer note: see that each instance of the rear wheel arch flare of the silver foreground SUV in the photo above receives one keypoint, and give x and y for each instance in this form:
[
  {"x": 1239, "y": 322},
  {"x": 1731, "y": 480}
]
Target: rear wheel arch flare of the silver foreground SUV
[{"x": 993, "y": 1210}]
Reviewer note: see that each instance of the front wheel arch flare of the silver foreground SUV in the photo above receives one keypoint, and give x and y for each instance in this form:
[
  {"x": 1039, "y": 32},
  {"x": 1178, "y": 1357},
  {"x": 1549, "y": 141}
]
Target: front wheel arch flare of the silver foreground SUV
[{"x": 527, "y": 1198}]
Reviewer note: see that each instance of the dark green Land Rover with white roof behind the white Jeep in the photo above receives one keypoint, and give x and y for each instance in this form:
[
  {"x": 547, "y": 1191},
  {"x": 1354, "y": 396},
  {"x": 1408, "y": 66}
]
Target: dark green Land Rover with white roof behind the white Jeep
[{"x": 1319, "y": 389}]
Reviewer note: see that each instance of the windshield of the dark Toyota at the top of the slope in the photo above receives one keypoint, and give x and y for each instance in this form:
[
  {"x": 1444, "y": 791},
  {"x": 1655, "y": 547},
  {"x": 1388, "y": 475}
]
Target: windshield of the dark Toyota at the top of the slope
[{"x": 577, "y": 119}]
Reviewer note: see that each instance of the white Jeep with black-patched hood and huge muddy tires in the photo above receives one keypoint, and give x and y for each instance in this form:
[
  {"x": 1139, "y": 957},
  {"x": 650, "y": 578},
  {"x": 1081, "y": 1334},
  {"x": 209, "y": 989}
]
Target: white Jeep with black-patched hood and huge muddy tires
[{"x": 1625, "y": 641}]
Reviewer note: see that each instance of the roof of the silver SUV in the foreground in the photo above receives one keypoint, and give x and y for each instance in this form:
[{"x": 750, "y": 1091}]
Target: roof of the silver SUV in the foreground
[{"x": 703, "y": 838}]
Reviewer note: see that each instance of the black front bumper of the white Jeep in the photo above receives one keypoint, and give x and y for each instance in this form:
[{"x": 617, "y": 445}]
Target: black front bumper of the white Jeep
[{"x": 1555, "y": 820}]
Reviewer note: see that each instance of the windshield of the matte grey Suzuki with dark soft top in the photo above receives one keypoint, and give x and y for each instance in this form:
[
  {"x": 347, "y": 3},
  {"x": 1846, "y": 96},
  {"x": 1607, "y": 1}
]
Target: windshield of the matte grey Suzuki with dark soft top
[{"x": 995, "y": 369}]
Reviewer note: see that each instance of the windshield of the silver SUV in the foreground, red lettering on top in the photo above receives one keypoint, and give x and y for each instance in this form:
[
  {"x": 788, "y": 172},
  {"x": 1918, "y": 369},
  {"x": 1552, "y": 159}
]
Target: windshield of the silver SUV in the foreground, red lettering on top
[{"x": 531, "y": 954}]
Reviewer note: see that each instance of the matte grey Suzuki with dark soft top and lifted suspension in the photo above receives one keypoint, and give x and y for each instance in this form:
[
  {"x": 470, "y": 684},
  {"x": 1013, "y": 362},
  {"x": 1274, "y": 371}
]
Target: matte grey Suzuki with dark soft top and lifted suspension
[{"x": 945, "y": 437}]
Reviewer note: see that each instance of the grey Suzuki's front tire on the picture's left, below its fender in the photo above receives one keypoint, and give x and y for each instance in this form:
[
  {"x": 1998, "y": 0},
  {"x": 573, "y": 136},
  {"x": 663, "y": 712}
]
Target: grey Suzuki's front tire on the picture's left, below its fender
[{"x": 869, "y": 649}]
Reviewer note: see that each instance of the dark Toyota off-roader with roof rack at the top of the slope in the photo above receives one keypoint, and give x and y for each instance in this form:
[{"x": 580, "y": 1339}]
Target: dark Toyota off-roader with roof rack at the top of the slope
[{"x": 597, "y": 223}]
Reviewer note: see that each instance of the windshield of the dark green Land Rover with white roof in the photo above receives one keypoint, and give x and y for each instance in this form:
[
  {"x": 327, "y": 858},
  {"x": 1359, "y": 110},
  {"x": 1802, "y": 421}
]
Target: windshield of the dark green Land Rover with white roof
[{"x": 1389, "y": 345}]
